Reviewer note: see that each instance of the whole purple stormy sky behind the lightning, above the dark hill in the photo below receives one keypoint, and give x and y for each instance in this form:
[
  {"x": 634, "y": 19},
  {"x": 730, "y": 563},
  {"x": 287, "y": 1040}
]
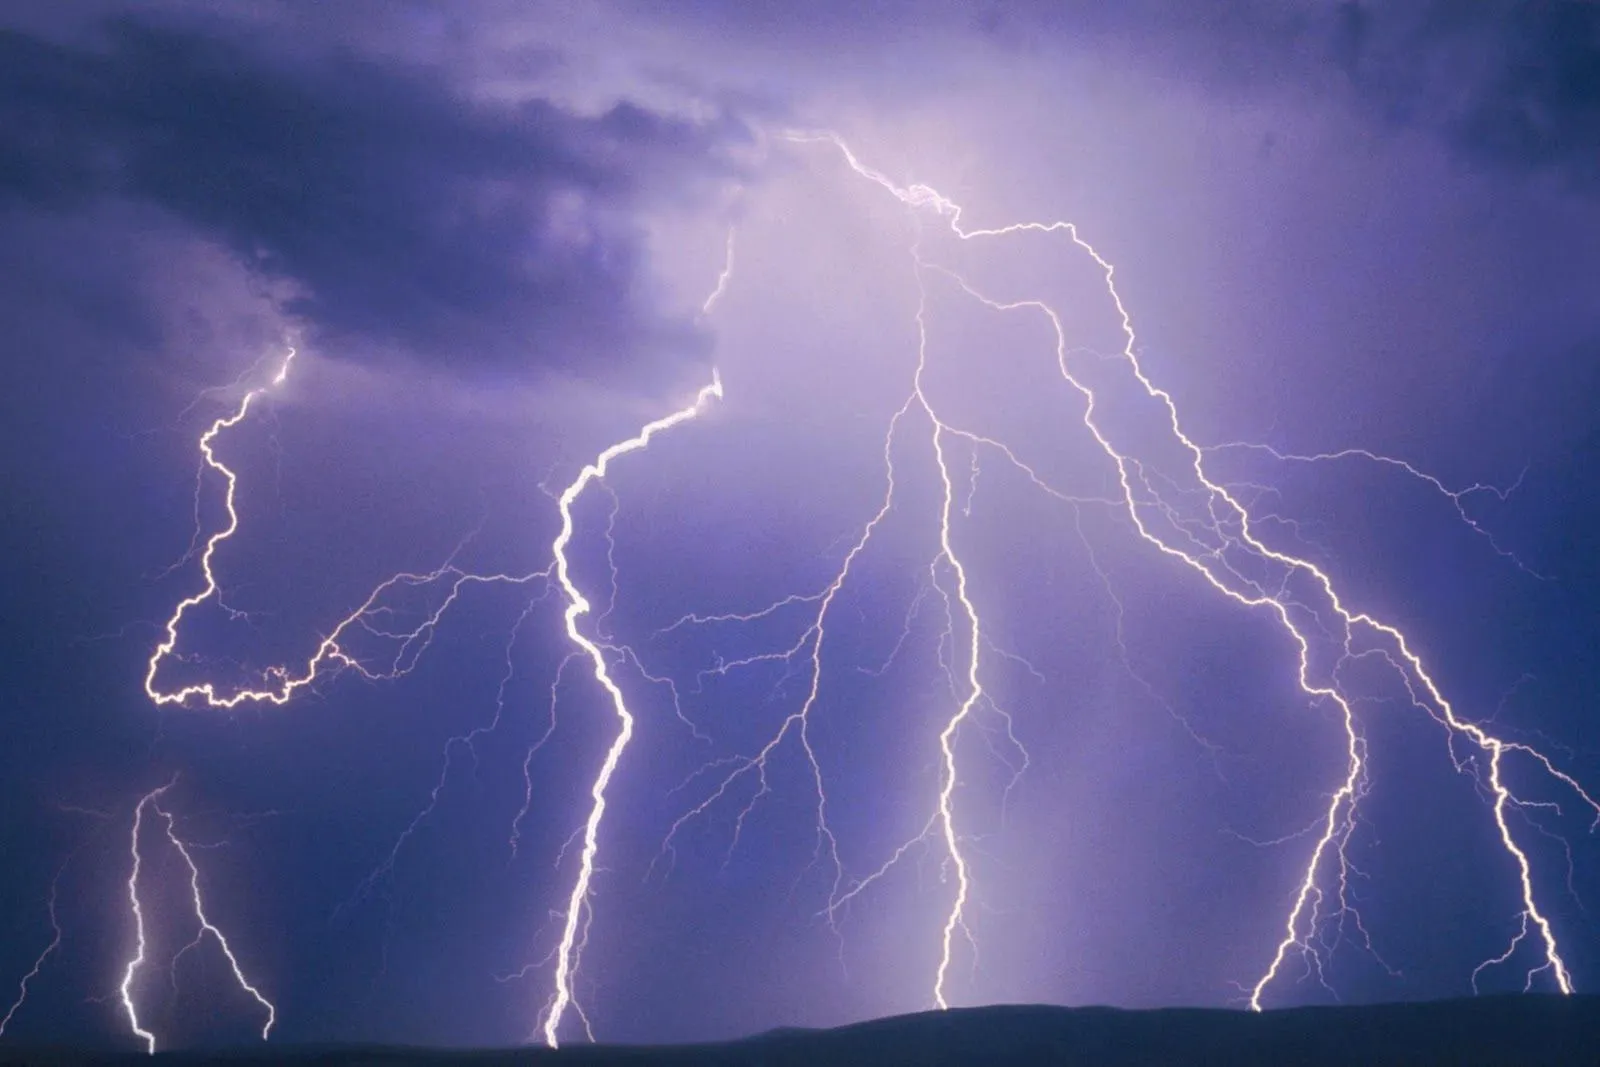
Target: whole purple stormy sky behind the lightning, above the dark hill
[{"x": 489, "y": 230}]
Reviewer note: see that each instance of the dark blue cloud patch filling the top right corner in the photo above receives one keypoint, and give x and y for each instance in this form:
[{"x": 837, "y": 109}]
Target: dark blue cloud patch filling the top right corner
[{"x": 1506, "y": 82}]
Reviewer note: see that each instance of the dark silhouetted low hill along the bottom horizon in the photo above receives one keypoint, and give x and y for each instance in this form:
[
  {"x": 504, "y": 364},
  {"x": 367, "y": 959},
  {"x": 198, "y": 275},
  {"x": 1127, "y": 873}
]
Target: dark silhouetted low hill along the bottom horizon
[{"x": 1500, "y": 1031}]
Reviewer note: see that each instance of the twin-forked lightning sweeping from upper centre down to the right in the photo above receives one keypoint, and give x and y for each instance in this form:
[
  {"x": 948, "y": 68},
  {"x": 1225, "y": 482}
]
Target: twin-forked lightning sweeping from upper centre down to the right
[{"x": 1230, "y": 524}]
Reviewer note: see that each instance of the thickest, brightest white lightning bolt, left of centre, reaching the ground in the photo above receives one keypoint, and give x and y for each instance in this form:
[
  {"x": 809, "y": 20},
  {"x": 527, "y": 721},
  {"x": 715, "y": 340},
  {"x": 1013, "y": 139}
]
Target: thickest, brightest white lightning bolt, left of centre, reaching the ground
[{"x": 577, "y": 607}]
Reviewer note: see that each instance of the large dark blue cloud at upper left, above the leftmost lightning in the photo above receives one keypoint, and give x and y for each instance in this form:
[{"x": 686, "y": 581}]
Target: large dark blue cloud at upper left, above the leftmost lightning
[{"x": 409, "y": 217}]
